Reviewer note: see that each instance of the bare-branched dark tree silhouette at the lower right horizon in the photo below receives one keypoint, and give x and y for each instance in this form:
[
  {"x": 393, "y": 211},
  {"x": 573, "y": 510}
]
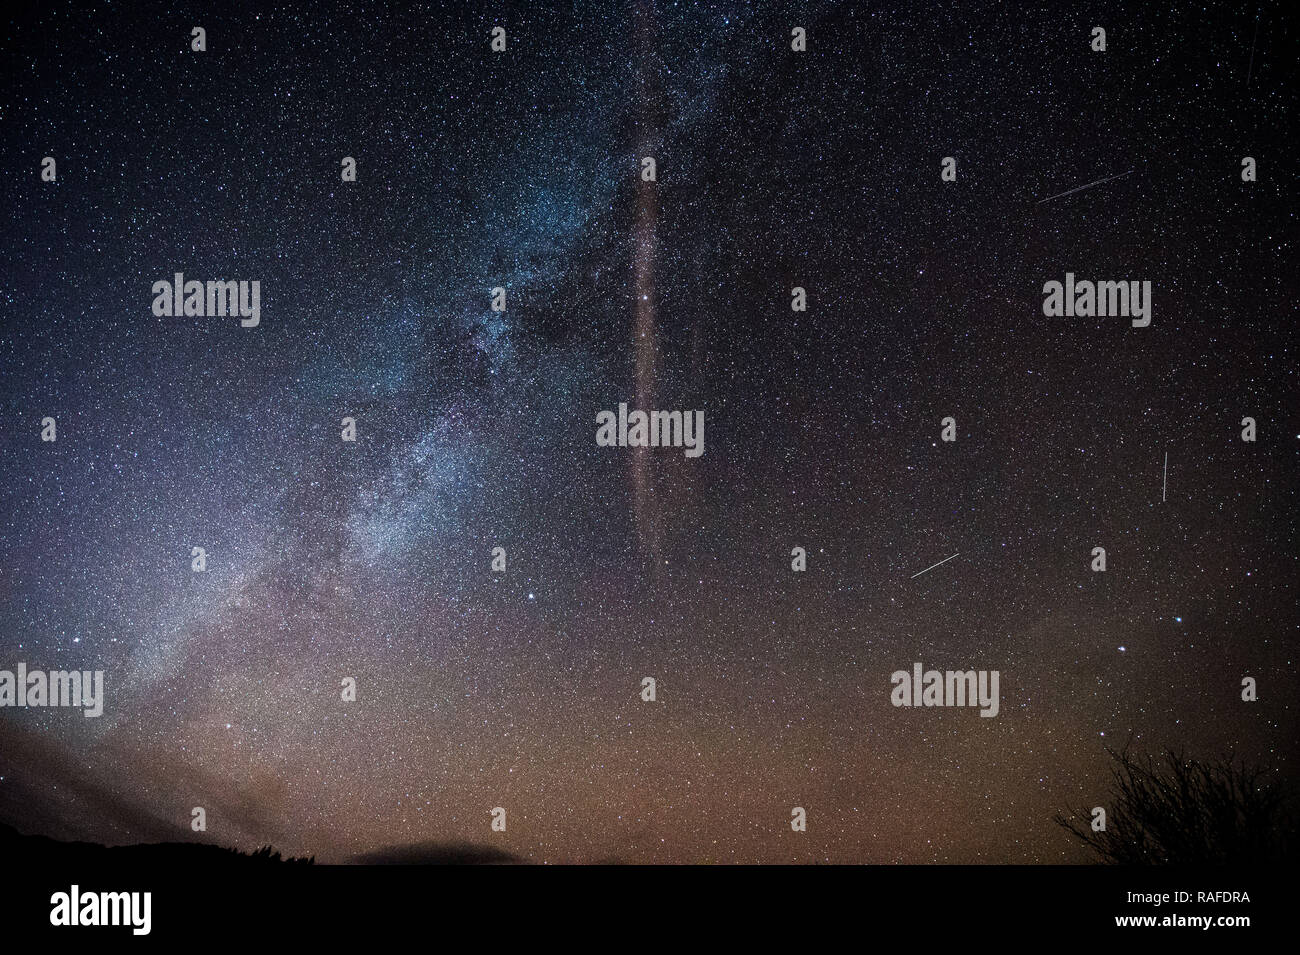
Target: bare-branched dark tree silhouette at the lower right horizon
[{"x": 1171, "y": 810}]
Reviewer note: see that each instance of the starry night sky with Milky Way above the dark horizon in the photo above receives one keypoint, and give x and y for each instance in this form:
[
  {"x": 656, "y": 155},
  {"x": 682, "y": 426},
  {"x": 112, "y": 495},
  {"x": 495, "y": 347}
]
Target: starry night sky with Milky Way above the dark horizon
[{"x": 476, "y": 428}]
